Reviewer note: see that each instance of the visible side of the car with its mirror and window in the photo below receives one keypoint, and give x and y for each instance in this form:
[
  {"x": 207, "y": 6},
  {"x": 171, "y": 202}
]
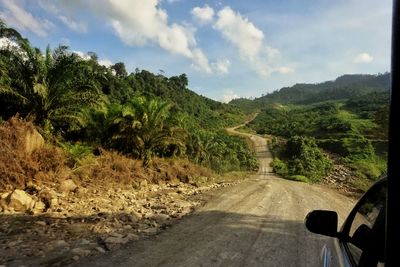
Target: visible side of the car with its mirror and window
[{"x": 361, "y": 240}]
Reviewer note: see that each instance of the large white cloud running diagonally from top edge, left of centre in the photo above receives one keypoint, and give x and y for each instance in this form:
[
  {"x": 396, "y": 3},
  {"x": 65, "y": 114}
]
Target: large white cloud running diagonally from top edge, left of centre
[{"x": 139, "y": 23}]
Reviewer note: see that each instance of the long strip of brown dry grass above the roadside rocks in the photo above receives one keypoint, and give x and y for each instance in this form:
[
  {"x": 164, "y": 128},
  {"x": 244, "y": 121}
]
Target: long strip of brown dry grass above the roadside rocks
[{"x": 40, "y": 163}]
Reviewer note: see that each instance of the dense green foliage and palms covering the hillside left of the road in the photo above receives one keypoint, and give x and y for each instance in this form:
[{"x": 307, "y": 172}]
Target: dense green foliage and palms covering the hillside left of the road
[{"x": 85, "y": 107}]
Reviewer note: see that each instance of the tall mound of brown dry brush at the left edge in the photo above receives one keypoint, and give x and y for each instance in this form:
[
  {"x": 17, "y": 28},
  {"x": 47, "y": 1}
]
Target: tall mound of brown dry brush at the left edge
[{"x": 23, "y": 157}]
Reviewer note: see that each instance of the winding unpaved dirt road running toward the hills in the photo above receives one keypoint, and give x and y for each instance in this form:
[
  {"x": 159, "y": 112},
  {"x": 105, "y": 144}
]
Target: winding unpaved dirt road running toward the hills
[{"x": 256, "y": 223}]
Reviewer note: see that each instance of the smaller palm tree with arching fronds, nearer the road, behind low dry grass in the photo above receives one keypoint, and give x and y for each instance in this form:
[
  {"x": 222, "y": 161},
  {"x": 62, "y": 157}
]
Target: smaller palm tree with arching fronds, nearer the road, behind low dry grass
[{"x": 146, "y": 128}]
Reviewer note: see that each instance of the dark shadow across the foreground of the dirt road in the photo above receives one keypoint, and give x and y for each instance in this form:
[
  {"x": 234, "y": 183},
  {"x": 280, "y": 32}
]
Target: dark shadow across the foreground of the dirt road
[{"x": 217, "y": 238}]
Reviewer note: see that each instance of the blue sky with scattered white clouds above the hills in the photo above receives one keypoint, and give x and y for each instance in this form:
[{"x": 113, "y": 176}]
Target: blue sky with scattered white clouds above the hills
[{"x": 228, "y": 49}]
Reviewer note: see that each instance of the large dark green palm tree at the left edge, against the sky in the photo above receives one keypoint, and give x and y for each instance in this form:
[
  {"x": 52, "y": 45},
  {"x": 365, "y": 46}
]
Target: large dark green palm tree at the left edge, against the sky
[{"x": 52, "y": 87}]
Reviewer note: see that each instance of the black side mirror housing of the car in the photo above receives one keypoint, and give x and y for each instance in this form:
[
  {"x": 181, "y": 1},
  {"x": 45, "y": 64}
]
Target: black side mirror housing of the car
[{"x": 323, "y": 222}]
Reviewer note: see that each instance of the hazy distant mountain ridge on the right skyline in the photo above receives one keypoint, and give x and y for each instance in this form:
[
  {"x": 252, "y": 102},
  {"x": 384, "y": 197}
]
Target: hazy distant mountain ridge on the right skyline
[{"x": 344, "y": 87}]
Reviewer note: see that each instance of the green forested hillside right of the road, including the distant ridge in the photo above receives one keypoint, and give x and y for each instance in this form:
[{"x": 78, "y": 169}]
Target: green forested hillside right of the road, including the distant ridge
[{"x": 315, "y": 126}]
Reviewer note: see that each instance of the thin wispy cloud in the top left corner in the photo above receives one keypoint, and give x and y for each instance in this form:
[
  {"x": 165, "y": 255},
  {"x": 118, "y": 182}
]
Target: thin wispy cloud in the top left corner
[{"x": 16, "y": 16}]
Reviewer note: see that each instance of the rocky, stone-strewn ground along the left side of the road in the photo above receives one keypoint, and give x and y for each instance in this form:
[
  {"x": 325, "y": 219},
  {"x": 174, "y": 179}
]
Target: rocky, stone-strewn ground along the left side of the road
[{"x": 48, "y": 227}]
